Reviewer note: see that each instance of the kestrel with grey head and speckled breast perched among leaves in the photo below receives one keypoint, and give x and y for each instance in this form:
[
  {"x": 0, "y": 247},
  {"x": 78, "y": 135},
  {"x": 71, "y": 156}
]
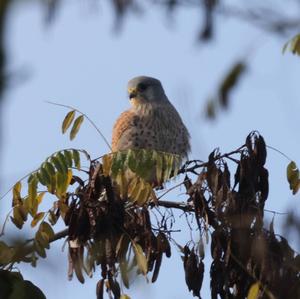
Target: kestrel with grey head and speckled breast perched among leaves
[{"x": 152, "y": 122}]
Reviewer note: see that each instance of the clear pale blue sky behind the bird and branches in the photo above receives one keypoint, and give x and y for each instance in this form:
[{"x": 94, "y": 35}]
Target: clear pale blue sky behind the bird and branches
[{"x": 81, "y": 61}]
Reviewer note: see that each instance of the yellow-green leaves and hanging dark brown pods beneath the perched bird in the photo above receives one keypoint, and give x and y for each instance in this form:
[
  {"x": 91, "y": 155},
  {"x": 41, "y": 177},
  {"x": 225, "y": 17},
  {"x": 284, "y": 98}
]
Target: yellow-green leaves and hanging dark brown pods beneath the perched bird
[{"x": 109, "y": 222}]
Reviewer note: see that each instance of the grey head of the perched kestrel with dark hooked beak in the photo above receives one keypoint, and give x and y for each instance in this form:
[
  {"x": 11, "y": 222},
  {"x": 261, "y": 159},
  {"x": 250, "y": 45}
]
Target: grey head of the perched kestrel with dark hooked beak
[{"x": 145, "y": 90}]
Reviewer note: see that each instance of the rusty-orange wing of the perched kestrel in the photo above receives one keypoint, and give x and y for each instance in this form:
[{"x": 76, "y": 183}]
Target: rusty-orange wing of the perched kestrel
[{"x": 123, "y": 127}]
